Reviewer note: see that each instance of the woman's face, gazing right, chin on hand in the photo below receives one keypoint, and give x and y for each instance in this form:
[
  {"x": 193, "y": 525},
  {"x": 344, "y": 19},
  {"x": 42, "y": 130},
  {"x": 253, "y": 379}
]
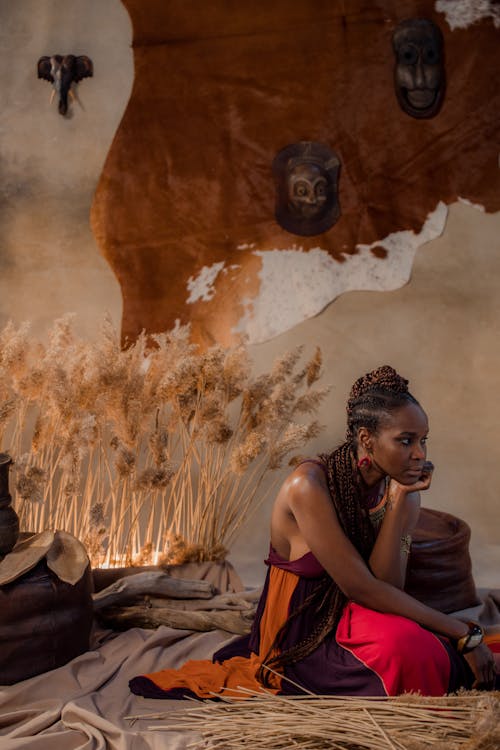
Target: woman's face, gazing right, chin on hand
[{"x": 399, "y": 446}]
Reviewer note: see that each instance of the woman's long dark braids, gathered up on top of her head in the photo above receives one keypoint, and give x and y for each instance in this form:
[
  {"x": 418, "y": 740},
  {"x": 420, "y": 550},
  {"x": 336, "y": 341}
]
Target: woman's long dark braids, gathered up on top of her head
[{"x": 372, "y": 399}]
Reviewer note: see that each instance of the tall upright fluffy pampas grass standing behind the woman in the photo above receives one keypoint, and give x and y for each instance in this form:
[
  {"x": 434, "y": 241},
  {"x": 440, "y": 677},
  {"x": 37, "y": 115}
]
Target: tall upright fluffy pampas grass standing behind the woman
[{"x": 151, "y": 454}]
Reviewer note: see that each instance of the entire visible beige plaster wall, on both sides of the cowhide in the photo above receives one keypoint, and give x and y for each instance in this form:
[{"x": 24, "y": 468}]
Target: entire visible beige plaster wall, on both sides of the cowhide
[{"x": 440, "y": 330}]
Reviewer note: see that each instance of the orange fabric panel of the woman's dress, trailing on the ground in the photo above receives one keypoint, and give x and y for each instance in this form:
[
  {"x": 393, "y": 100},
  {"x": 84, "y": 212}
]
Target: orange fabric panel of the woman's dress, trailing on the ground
[{"x": 204, "y": 678}]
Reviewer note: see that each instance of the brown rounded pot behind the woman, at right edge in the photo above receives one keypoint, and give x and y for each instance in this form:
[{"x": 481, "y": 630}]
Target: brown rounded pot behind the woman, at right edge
[{"x": 439, "y": 568}]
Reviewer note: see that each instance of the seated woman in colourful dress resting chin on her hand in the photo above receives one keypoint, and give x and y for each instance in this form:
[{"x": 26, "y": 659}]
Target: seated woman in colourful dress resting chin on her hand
[{"x": 333, "y": 618}]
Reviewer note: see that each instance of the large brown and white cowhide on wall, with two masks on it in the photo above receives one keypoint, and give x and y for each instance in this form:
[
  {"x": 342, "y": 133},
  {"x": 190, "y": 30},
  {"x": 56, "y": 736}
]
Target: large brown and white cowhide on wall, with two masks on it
[{"x": 276, "y": 154}]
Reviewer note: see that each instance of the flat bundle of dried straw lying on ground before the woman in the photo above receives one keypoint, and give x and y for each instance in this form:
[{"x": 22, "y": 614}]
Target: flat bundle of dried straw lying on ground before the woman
[{"x": 467, "y": 721}]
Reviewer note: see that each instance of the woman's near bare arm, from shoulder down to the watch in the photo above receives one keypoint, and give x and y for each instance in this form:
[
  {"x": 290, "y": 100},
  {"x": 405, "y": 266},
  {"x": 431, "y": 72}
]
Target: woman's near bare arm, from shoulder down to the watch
[{"x": 307, "y": 498}]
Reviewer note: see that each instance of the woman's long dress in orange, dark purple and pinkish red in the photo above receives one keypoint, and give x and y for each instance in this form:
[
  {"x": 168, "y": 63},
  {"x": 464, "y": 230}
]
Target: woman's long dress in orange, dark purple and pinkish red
[{"x": 369, "y": 654}]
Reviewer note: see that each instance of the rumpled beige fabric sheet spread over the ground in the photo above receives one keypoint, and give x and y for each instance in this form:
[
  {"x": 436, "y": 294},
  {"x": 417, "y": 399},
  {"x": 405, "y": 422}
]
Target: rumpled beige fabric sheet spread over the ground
[{"x": 83, "y": 705}]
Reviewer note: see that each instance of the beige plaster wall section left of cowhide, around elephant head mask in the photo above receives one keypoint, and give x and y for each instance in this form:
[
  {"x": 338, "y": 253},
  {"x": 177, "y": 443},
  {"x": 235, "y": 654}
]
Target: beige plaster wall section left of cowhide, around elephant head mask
[{"x": 49, "y": 164}]
